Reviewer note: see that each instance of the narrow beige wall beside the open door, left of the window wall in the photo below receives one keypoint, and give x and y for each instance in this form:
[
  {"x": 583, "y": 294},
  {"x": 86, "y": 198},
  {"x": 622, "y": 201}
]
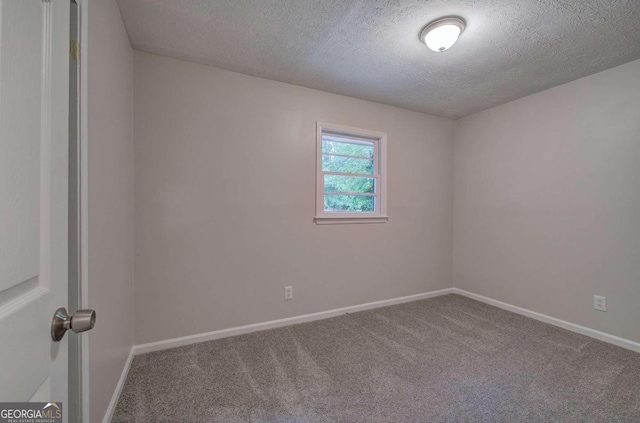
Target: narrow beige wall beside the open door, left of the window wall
[{"x": 110, "y": 186}]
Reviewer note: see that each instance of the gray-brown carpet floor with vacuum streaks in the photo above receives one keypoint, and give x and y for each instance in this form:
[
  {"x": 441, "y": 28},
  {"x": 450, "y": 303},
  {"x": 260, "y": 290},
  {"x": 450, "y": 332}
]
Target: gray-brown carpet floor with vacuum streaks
[{"x": 446, "y": 359}]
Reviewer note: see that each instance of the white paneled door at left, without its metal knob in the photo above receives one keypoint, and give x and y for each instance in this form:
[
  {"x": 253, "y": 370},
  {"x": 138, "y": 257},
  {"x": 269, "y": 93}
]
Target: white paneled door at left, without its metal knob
[{"x": 34, "y": 156}]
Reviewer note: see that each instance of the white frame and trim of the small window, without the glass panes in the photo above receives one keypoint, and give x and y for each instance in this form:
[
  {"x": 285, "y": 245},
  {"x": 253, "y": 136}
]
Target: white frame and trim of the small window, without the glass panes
[{"x": 380, "y": 173}]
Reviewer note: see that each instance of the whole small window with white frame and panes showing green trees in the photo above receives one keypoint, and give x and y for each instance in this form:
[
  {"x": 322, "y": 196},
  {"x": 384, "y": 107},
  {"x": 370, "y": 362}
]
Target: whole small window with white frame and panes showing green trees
[{"x": 350, "y": 175}]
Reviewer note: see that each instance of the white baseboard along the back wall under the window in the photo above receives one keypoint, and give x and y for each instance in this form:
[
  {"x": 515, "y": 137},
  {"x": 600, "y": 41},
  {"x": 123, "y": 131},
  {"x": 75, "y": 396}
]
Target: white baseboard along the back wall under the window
[{"x": 209, "y": 336}]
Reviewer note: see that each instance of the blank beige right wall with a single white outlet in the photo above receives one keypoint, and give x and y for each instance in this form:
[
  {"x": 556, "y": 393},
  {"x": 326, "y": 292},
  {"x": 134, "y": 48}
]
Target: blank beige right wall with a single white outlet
[{"x": 547, "y": 201}]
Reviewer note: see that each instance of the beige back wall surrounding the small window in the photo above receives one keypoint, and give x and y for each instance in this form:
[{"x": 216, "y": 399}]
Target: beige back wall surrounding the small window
[{"x": 225, "y": 182}]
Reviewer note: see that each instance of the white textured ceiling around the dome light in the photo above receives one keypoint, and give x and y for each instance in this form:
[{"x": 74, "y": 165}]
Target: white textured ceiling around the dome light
[{"x": 369, "y": 49}]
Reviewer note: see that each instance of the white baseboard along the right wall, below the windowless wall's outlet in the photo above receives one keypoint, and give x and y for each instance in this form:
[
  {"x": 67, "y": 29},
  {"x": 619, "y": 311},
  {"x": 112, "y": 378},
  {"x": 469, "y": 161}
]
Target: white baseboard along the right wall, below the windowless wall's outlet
[{"x": 602, "y": 336}]
